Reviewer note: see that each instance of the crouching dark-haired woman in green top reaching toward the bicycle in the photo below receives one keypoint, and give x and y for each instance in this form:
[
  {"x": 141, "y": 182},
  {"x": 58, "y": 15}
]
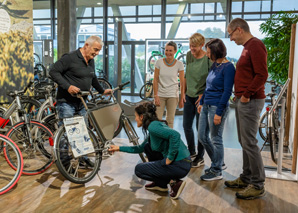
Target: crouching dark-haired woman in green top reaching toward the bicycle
[{"x": 169, "y": 158}]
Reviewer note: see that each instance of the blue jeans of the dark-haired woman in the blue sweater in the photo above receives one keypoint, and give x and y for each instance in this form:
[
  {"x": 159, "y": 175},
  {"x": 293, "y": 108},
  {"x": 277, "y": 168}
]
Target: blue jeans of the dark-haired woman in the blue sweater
[{"x": 214, "y": 143}]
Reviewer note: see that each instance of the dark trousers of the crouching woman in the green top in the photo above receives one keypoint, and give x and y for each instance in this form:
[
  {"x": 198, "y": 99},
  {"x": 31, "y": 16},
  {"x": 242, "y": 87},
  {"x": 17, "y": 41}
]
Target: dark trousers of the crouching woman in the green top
[{"x": 158, "y": 172}]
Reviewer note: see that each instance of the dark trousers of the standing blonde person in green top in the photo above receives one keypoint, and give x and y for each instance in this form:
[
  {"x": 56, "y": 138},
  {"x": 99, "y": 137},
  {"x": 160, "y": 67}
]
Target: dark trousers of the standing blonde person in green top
[{"x": 189, "y": 113}]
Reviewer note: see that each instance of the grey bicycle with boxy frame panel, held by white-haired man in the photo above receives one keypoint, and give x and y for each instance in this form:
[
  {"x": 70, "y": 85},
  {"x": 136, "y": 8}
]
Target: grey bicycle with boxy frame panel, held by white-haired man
[{"x": 104, "y": 118}]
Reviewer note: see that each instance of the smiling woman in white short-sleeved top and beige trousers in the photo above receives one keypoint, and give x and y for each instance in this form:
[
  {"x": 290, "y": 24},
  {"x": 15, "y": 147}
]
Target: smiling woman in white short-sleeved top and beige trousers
[{"x": 166, "y": 85}]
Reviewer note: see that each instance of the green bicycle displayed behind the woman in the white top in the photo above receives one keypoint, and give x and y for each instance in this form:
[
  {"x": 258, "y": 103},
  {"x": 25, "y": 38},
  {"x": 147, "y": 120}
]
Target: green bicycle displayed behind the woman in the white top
[{"x": 155, "y": 55}]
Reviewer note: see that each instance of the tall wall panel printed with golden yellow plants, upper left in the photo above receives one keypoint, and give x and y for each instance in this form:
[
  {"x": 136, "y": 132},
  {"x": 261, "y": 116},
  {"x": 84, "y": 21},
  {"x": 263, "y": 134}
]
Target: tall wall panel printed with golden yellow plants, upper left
[{"x": 16, "y": 44}]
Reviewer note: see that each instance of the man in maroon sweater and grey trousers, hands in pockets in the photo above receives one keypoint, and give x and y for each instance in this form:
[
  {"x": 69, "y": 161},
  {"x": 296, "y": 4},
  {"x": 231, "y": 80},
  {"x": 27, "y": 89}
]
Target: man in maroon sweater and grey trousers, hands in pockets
[{"x": 250, "y": 78}]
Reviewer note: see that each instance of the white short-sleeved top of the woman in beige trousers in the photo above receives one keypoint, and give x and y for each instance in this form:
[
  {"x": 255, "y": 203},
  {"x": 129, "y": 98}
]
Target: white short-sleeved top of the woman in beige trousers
[{"x": 168, "y": 78}]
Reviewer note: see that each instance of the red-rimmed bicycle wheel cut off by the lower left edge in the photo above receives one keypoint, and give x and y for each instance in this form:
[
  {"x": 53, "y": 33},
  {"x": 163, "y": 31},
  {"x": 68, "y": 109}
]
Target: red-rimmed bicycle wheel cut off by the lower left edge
[{"x": 10, "y": 178}]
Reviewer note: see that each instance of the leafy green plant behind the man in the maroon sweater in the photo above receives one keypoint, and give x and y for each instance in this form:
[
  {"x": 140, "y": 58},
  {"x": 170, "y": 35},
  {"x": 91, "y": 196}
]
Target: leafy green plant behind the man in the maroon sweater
[{"x": 277, "y": 41}]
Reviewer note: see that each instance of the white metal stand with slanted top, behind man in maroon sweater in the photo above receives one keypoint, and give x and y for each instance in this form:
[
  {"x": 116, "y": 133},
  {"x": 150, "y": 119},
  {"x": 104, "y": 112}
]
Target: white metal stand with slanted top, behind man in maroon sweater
[{"x": 279, "y": 172}]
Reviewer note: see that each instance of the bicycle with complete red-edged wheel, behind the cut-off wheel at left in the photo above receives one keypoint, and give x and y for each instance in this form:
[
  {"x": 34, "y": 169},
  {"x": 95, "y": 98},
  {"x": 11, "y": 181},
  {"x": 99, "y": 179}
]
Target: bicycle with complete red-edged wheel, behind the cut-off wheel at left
[{"x": 33, "y": 138}]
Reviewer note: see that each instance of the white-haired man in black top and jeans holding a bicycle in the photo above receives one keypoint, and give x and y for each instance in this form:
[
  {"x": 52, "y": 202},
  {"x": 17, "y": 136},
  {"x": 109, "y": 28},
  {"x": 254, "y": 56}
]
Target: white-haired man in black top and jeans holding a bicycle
[{"x": 73, "y": 72}]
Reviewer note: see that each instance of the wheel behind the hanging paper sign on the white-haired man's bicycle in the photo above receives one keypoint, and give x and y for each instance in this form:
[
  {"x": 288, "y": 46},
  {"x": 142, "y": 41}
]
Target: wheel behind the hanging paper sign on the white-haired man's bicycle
[{"x": 69, "y": 166}]
